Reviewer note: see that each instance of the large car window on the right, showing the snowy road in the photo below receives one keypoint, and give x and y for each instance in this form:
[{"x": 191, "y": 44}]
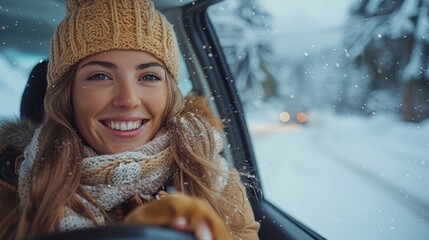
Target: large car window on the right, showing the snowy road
[{"x": 336, "y": 99}]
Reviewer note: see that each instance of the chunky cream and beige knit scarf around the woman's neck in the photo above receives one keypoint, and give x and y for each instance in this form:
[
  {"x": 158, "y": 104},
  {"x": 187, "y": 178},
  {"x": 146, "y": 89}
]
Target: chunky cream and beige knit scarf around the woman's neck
[{"x": 110, "y": 179}]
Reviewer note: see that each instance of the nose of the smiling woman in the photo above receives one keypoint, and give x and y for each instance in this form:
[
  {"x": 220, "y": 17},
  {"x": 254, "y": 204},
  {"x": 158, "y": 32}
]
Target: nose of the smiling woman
[{"x": 126, "y": 95}]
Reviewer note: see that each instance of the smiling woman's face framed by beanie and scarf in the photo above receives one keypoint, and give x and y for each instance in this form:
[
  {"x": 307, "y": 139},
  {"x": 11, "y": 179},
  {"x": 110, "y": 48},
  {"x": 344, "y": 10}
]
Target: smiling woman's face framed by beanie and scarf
[{"x": 119, "y": 99}]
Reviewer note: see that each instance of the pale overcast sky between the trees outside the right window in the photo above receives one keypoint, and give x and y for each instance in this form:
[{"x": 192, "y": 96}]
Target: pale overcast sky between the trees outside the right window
[{"x": 307, "y": 24}]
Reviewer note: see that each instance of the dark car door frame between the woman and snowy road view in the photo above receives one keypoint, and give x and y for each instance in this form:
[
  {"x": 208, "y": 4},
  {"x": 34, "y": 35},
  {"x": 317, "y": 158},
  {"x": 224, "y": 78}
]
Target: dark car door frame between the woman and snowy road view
[{"x": 203, "y": 53}]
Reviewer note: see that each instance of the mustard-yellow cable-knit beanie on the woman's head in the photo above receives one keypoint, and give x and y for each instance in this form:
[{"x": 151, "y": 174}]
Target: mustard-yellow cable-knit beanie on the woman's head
[{"x": 93, "y": 26}]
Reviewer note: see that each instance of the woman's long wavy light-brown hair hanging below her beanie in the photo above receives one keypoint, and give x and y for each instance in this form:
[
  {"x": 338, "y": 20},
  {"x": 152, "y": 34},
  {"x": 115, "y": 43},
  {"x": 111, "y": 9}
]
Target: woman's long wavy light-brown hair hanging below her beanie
[{"x": 56, "y": 171}]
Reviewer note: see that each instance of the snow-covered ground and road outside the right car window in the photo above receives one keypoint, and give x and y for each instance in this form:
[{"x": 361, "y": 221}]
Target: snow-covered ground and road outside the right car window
[{"x": 348, "y": 177}]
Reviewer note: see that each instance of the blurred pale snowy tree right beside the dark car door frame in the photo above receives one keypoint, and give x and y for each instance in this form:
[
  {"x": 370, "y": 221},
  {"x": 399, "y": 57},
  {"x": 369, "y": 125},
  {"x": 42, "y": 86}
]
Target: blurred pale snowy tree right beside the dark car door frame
[{"x": 242, "y": 27}]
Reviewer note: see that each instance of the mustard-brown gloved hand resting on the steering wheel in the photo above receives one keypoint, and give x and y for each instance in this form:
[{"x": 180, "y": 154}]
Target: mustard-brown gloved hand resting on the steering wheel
[{"x": 182, "y": 213}]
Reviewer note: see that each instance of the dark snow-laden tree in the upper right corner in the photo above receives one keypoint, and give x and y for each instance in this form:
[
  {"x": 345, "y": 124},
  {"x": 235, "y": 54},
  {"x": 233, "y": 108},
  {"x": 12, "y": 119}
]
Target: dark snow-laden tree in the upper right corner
[{"x": 390, "y": 39}]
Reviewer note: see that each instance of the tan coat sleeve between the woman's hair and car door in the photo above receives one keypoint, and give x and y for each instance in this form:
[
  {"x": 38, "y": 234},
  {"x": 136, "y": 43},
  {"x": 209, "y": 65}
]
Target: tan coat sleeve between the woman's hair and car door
[{"x": 241, "y": 219}]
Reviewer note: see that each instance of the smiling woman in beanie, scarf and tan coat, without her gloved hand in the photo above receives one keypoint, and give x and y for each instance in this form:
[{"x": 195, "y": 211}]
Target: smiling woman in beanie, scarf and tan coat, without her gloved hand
[{"x": 117, "y": 129}]
